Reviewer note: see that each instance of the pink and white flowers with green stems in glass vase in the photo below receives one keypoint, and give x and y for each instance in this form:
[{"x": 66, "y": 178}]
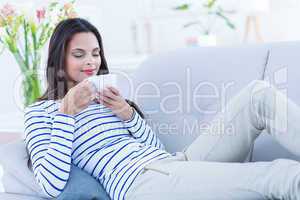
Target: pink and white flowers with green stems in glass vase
[{"x": 25, "y": 36}]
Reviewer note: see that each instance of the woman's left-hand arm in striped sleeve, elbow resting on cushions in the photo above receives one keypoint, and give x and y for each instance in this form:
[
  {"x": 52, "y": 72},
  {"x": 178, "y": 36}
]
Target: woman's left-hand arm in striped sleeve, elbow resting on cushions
[{"x": 49, "y": 143}]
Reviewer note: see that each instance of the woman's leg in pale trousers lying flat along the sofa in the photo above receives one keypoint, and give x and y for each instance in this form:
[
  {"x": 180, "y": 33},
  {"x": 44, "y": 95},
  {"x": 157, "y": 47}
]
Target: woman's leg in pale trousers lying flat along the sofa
[{"x": 197, "y": 180}]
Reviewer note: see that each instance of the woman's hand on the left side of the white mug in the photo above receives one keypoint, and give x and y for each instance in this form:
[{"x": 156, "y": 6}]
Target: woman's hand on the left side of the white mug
[{"x": 78, "y": 98}]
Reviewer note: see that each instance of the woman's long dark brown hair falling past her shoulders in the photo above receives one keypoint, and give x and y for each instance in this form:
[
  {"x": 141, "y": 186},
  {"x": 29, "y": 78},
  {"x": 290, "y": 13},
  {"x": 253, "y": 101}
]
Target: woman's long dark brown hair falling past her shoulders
[{"x": 56, "y": 75}]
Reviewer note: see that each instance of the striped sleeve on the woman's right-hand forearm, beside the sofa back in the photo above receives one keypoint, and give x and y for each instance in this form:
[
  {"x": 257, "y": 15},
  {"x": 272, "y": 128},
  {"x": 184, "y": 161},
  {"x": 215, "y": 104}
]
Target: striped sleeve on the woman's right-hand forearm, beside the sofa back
[{"x": 141, "y": 131}]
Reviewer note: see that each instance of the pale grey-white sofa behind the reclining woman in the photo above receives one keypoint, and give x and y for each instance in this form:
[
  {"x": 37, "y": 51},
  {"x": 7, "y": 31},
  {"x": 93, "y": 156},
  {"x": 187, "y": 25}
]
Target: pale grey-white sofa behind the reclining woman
[{"x": 187, "y": 86}]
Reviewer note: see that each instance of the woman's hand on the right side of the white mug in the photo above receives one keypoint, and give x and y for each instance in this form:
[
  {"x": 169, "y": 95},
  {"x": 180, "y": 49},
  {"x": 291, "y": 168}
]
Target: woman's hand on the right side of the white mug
[{"x": 111, "y": 98}]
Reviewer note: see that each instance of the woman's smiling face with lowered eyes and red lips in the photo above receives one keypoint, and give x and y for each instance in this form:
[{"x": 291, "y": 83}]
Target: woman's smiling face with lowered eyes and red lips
[{"x": 82, "y": 57}]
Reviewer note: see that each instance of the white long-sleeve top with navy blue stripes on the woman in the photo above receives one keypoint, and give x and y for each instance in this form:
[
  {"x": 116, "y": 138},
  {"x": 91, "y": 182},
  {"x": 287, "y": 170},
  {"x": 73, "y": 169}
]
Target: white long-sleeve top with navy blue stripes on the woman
[{"x": 96, "y": 140}]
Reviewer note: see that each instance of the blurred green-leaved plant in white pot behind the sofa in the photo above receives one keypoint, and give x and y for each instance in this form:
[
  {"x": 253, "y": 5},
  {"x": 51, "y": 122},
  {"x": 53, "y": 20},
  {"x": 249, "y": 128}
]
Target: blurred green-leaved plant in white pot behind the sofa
[{"x": 209, "y": 12}]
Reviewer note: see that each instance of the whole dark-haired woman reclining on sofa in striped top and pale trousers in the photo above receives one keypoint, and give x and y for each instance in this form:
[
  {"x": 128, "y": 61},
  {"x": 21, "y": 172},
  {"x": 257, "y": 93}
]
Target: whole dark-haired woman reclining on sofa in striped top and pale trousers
[{"x": 106, "y": 136}]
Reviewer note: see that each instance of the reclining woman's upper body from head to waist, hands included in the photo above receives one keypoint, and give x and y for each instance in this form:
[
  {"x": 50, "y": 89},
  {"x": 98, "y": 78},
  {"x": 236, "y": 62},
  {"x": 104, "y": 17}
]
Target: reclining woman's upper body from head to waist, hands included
[{"x": 66, "y": 126}]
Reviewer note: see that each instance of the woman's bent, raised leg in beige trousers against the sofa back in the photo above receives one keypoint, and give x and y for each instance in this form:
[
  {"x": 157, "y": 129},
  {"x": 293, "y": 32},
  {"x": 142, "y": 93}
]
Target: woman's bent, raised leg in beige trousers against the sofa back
[{"x": 231, "y": 134}]
